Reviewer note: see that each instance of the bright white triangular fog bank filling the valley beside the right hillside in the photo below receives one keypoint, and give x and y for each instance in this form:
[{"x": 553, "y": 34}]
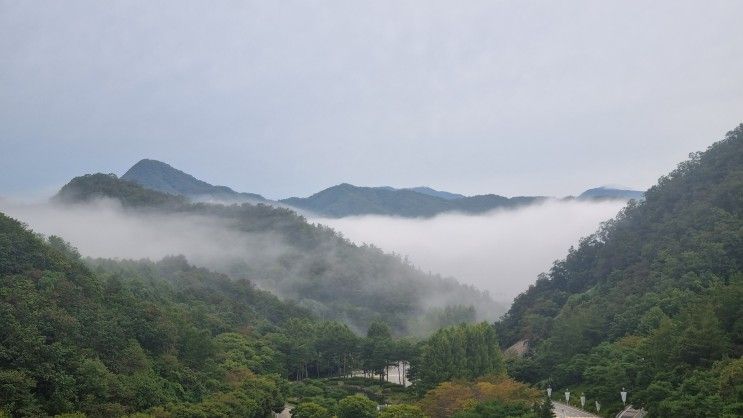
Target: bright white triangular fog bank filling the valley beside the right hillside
[{"x": 501, "y": 251}]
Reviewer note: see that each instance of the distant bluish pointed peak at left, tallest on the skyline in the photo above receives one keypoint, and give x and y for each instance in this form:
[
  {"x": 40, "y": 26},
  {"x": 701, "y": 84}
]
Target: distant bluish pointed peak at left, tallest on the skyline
[{"x": 159, "y": 176}]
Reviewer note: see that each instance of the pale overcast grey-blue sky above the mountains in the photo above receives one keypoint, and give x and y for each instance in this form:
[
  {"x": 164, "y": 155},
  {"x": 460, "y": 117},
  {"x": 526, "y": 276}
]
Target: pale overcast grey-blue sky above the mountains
[{"x": 285, "y": 98}]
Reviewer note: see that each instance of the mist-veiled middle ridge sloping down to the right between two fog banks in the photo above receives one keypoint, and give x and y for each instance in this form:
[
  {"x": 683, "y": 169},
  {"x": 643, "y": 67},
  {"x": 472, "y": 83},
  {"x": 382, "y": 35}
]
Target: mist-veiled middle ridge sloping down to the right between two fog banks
[{"x": 309, "y": 263}]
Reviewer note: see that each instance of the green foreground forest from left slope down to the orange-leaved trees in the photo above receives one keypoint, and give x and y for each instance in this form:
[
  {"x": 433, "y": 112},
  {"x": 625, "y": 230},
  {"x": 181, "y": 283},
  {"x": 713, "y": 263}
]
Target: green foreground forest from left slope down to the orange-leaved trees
[{"x": 106, "y": 338}]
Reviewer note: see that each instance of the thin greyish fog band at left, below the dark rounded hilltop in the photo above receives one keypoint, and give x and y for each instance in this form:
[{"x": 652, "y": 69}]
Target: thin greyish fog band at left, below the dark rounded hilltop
[{"x": 103, "y": 229}]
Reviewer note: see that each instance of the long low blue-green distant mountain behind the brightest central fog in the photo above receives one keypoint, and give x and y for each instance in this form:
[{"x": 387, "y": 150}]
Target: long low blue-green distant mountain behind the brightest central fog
[{"x": 349, "y": 200}]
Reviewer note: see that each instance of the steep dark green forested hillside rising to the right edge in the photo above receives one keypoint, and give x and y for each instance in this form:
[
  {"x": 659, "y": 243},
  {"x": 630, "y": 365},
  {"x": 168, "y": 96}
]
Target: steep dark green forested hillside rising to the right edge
[{"x": 652, "y": 302}]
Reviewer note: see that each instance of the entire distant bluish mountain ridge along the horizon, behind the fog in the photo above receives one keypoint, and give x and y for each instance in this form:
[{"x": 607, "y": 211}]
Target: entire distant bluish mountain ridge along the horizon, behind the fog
[{"x": 345, "y": 199}]
